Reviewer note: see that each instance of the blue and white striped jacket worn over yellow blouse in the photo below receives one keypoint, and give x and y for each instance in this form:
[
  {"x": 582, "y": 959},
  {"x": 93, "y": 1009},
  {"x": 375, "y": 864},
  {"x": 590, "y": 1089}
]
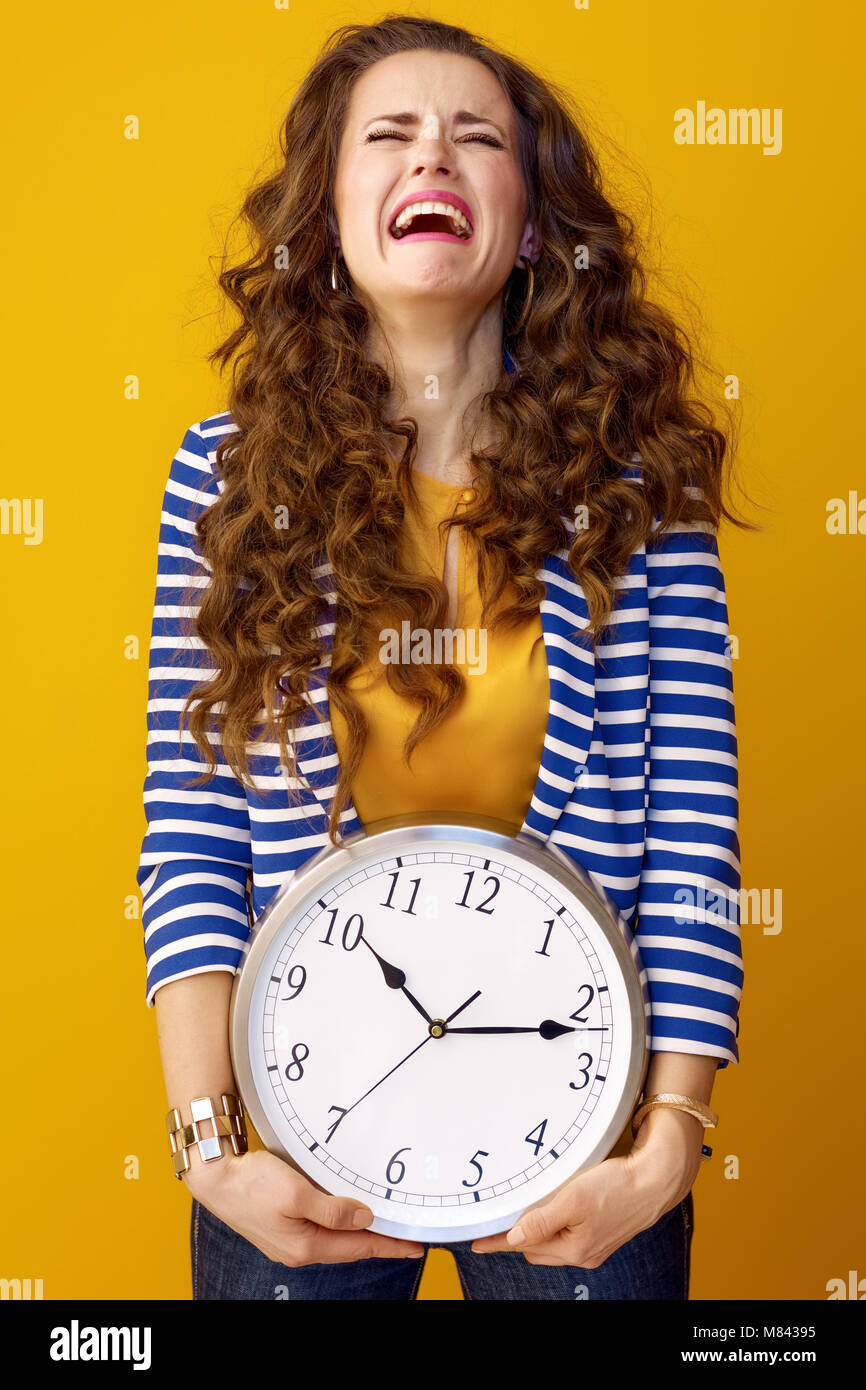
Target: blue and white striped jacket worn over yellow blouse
[{"x": 637, "y": 780}]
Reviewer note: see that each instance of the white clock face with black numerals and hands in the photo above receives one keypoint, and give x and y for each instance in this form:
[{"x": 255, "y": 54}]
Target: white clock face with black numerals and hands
[{"x": 446, "y": 1032}]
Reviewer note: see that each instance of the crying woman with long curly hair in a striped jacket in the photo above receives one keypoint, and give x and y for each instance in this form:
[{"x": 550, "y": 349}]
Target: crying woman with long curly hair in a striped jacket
[{"x": 444, "y": 322}]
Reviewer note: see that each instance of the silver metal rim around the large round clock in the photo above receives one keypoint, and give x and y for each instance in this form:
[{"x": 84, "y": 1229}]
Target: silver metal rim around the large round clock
[{"x": 491, "y": 835}]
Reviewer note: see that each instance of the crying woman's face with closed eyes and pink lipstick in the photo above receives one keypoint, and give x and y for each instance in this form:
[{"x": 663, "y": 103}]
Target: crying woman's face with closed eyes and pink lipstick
[{"x": 430, "y": 129}]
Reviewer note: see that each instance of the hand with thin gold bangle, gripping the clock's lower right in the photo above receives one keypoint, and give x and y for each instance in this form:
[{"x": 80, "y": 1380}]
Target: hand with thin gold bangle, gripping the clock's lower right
[{"x": 605, "y": 1206}]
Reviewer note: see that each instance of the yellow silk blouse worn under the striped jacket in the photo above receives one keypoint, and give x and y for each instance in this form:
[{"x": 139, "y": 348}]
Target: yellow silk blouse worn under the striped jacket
[{"x": 484, "y": 757}]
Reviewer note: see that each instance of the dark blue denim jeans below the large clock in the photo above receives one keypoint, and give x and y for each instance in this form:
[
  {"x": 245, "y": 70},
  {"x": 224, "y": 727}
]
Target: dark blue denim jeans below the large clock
[{"x": 654, "y": 1264}]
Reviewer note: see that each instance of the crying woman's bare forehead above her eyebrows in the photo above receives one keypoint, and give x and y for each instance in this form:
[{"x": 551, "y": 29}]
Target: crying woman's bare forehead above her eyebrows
[{"x": 423, "y": 81}]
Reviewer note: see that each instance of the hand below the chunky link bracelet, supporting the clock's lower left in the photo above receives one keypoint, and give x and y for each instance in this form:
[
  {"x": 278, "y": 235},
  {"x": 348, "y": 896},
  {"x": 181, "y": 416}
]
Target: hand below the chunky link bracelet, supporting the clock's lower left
[{"x": 286, "y": 1217}]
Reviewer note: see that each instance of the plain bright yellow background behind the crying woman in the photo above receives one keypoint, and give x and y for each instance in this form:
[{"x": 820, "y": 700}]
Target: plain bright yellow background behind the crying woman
[{"x": 106, "y": 256}]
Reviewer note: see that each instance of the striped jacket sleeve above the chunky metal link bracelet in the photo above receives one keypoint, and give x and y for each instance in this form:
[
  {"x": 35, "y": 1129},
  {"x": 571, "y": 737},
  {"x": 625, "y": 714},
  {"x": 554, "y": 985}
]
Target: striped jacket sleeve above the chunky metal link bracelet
[{"x": 195, "y": 857}]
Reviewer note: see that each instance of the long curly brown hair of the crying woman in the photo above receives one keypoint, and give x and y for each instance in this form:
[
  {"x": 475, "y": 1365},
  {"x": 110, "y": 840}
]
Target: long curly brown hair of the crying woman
[{"x": 601, "y": 373}]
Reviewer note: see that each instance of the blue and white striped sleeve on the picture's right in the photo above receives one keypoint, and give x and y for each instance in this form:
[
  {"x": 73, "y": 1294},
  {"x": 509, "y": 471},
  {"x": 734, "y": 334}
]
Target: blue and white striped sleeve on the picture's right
[{"x": 689, "y": 894}]
